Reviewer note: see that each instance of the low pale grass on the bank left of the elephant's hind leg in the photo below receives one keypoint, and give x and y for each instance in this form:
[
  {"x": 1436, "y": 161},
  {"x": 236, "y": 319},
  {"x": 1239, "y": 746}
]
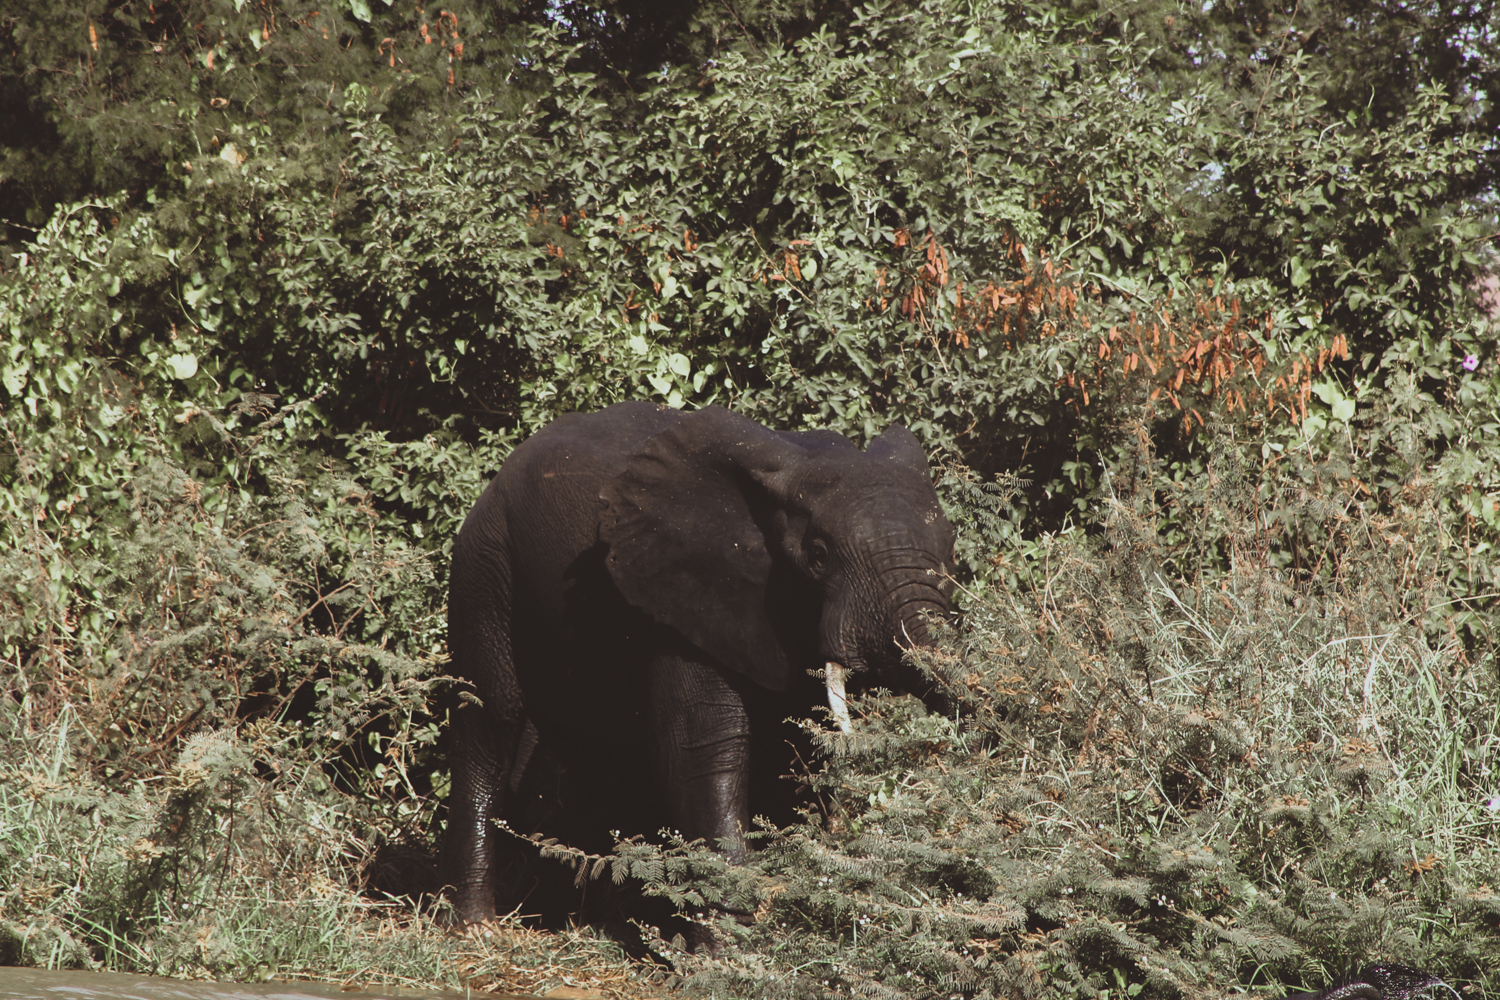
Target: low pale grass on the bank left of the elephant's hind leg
[{"x": 241, "y": 863}]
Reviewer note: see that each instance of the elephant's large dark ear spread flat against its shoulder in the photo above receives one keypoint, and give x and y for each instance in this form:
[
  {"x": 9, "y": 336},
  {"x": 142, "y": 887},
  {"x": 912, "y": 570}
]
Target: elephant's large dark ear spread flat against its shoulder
[{"x": 686, "y": 531}]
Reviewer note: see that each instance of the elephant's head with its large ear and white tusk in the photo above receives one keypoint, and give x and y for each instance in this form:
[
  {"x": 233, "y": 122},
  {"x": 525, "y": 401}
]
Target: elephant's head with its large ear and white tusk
[{"x": 716, "y": 513}]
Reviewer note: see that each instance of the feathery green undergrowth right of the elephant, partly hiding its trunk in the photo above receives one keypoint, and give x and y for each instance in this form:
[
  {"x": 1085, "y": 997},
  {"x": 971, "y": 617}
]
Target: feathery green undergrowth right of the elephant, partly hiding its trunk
[{"x": 1151, "y": 786}]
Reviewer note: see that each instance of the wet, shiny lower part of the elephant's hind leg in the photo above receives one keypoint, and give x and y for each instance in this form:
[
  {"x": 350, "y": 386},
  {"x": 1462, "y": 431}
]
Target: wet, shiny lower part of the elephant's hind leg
[{"x": 481, "y": 768}]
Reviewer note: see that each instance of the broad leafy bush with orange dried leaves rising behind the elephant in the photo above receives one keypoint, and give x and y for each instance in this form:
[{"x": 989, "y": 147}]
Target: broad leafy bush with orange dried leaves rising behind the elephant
[{"x": 790, "y": 235}]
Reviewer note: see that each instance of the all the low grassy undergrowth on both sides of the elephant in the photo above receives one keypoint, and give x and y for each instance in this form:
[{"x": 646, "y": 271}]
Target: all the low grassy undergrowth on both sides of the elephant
[{"x": 1186, "y": 759}]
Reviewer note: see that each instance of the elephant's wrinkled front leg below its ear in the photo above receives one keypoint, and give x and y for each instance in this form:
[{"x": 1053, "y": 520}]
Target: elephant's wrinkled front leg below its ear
[{"x": 703, "y": 750}]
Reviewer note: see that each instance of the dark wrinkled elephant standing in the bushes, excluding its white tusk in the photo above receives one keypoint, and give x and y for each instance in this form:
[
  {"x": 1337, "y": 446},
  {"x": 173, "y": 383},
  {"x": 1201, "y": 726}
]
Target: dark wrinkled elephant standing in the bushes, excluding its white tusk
[{"x": 635, "y": 588}]
